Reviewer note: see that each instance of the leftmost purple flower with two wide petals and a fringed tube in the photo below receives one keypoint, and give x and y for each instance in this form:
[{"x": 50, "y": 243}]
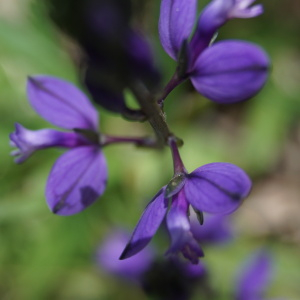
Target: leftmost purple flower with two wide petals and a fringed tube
[{"x": 79, "y": 176}]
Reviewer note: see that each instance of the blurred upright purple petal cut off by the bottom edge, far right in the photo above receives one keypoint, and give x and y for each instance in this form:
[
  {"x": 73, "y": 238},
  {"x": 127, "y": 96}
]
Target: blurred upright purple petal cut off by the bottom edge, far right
[{"x": 254, "y": 277}]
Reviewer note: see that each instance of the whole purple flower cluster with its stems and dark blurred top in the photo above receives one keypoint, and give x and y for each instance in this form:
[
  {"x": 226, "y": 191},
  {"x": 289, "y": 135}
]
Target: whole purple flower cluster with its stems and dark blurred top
[{"x": 225, "y": 72}]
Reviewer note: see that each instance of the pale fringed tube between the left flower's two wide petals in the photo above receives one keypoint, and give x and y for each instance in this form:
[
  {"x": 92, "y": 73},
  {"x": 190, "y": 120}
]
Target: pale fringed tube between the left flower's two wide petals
[{"x": 28, "y": 141}]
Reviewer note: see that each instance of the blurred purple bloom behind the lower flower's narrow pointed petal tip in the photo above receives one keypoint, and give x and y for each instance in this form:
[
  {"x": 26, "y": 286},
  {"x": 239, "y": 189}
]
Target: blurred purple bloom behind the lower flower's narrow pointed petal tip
[{"x": 108, "y": 257}]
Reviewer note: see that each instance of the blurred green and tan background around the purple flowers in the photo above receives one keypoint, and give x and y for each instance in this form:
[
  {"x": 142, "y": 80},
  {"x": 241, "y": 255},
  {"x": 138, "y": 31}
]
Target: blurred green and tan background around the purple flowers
[{"x": 44, "y": 256}]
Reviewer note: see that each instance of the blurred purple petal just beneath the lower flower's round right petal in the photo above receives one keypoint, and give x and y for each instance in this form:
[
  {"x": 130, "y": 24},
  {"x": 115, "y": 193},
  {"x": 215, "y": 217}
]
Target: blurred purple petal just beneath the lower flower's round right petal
[{"x": 216, "y": 229}]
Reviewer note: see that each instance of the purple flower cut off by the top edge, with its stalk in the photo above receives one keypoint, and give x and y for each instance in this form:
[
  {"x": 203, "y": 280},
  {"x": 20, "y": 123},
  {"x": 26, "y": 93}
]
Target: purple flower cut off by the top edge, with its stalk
[{"x": 226, "y": 72}]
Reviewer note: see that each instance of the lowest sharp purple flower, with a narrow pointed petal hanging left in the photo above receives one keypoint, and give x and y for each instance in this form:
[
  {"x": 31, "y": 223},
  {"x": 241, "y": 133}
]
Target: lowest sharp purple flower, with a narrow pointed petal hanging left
[{"x": 216, "y": 188}]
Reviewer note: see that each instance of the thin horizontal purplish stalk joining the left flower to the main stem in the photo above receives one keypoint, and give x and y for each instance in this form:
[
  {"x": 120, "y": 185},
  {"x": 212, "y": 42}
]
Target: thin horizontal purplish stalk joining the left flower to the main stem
[{"x": 106, "y": 140}]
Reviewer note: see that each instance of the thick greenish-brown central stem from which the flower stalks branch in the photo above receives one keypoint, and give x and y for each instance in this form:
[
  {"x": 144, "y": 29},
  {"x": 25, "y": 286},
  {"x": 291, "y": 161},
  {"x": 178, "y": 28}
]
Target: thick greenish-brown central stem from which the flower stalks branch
[{"x": 154, "y": 113}]
